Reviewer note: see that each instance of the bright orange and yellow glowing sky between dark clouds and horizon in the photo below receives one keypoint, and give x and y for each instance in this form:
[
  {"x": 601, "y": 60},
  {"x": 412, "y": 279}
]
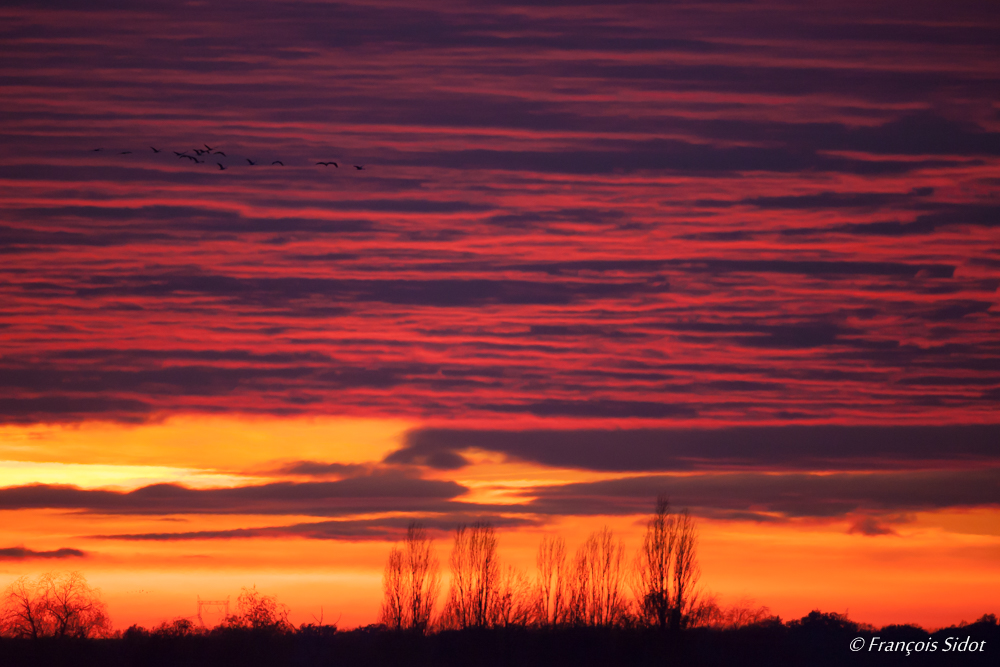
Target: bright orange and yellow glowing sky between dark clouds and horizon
[{"x": 937, "y": 568}]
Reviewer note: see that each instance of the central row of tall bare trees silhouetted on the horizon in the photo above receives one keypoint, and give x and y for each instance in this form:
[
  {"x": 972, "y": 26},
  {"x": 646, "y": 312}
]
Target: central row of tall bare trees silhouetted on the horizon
[{"x": 602, "y": 585}]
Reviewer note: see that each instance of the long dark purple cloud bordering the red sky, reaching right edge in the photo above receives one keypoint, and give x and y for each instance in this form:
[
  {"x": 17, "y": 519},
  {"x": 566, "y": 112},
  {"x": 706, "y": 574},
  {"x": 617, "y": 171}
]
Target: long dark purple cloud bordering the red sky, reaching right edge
[{"x": 794, "y": 447}]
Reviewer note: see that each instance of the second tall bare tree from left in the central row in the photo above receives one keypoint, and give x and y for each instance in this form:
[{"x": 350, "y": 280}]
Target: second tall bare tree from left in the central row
[{"x": 475, "y": 577}]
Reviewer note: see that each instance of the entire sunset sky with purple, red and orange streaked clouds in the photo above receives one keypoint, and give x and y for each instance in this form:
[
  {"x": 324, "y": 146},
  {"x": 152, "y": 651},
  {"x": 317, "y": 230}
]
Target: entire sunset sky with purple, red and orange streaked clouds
[{"x": 742, "y": 254}]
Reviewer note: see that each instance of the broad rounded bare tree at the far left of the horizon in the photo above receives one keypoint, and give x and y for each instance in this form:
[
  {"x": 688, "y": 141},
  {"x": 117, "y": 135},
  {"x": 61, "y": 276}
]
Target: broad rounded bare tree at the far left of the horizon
[{"x": 56, "y": 605}]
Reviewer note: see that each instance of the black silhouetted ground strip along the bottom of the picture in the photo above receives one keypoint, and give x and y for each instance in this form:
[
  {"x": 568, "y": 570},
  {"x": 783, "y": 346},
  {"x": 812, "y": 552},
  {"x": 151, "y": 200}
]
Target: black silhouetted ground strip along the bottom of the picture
[{"x": 815, "y": 640}]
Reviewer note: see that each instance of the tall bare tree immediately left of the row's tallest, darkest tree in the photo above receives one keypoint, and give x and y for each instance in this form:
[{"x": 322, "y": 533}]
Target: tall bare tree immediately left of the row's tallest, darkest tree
[{"x": 600, "y": 571}]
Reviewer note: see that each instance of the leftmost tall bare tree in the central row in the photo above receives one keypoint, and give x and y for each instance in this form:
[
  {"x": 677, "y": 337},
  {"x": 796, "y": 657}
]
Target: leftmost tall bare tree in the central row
[{"x": 410, "y": 582}]
